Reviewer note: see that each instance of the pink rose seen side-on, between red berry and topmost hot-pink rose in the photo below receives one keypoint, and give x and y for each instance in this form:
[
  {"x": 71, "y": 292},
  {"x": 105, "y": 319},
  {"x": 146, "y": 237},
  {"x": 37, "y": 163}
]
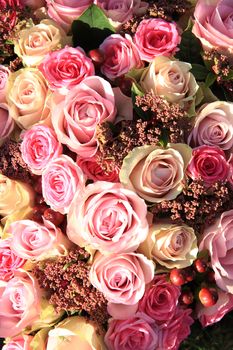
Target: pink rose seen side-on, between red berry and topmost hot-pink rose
[{"x": 120, "y": 54}]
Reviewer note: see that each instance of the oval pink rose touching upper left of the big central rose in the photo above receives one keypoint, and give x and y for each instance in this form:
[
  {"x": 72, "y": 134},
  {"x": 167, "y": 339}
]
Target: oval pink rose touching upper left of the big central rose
[{"x": 61, "y": 180}]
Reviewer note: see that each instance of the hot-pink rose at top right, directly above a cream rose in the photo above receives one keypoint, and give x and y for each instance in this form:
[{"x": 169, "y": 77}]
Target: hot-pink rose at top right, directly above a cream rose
[{"x": 156, "y": 37}]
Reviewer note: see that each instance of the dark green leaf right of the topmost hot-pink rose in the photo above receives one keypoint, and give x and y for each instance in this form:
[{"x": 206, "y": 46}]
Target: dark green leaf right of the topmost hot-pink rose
[{"x": 190, "y": 47}]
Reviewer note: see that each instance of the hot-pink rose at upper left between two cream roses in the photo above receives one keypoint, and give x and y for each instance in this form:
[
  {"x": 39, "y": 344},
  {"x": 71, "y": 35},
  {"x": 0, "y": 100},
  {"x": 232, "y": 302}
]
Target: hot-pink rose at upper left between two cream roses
[{"x": 66, "y": 68}]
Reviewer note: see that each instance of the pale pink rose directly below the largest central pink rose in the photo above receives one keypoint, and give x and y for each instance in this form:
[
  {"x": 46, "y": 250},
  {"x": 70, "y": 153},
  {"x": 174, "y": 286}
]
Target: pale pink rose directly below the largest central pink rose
[{"x": 122, "y": 279}]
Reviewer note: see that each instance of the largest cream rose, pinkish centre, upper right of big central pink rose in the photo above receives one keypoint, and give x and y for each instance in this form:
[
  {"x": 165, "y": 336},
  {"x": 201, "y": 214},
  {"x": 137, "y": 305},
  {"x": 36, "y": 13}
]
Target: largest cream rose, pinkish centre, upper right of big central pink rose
[{"x": 155, "y": 173}]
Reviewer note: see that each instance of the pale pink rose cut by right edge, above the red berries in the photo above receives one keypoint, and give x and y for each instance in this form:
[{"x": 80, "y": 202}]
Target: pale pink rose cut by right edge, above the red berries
[{"x": 217, "y": 239}]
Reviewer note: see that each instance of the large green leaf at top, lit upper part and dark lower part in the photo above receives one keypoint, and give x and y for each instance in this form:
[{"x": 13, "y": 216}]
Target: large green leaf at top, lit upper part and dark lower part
[{"x": 91, "y": 28}]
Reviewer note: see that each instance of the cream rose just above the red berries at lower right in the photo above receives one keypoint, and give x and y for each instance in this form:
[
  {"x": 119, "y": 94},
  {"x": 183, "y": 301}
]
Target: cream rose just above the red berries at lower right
[{"x": 170, "y": 245}]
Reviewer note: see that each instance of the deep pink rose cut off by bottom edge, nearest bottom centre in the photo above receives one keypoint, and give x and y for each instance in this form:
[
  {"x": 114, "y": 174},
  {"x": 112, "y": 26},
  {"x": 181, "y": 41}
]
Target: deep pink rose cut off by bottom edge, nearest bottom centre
[{"x": 137, "y": 333}]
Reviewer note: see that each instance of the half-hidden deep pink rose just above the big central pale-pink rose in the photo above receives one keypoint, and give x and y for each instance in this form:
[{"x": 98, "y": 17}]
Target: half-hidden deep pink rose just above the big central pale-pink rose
[{"x": 93, "y": 171}]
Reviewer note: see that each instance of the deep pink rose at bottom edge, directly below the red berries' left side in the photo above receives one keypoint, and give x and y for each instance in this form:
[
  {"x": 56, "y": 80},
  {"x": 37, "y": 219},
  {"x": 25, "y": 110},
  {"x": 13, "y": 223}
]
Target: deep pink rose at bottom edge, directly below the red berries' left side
[{"x": 177, "y": 329}]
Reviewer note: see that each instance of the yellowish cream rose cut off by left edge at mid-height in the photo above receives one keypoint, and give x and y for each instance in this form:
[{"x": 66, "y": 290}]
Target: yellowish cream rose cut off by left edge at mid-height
[{"x": 14, "y": 196}]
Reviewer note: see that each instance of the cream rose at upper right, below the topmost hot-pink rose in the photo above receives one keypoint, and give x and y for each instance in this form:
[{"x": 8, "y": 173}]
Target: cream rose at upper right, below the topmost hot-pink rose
[{"x": 170, "y": 79}]
